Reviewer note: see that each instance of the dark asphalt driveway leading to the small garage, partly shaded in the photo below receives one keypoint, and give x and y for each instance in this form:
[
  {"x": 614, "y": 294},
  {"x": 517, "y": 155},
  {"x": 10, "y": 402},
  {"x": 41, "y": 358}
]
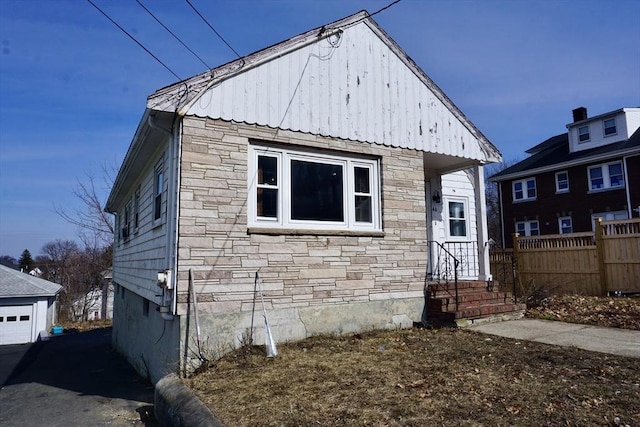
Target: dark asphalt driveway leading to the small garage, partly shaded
[{"x": 72, "y": 379}]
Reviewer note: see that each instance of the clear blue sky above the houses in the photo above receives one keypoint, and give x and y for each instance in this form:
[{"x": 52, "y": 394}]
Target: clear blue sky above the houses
[{"x": 73, "y": 87}]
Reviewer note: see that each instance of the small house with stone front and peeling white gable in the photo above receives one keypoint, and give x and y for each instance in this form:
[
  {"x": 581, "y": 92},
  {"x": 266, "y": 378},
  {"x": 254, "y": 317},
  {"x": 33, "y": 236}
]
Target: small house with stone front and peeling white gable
[{"x": 329, "y": 164}]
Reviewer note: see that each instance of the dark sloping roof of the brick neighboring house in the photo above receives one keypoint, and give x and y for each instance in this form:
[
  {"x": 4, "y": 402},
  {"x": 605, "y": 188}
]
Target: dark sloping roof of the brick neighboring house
[{"x": 554, "y": 154}]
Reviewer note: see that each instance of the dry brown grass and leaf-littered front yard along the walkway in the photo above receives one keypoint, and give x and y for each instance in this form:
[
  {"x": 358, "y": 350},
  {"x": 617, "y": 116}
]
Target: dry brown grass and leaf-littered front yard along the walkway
[{"x": 424, "y": 377}]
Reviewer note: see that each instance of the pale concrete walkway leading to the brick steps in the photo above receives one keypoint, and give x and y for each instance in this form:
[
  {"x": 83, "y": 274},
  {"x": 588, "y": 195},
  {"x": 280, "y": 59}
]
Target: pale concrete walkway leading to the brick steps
[{"x": 621, "y": 342}]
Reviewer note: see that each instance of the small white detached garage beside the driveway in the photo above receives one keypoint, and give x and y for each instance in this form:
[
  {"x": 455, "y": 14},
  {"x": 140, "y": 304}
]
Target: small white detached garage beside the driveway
[{"x": 27, "y": 306}]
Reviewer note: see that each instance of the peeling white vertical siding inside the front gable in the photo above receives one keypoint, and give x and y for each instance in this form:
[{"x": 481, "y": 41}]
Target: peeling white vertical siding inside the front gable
[{"x": 353, "y": 88}]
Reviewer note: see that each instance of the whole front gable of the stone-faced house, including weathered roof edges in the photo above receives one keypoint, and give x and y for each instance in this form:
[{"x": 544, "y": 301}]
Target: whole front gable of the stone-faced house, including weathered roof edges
[{"x": 347, "y": 79}]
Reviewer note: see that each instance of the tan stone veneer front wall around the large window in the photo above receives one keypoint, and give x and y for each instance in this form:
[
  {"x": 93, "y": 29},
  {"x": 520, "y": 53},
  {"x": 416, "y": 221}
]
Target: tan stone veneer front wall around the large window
[{"x": 338, "y": 283}]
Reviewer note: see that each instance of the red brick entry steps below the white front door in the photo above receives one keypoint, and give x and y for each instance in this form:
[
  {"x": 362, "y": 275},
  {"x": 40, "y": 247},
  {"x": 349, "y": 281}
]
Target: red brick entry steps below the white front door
[{"x": 476, "y": 304}]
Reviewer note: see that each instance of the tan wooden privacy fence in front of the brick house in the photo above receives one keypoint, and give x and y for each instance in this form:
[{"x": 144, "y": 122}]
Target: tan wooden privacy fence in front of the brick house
[{"x": 597, "y": 263}]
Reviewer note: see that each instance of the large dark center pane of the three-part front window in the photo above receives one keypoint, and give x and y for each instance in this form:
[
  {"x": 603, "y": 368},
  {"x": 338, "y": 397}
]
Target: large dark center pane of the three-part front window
[{"x": 316, "y": 191}]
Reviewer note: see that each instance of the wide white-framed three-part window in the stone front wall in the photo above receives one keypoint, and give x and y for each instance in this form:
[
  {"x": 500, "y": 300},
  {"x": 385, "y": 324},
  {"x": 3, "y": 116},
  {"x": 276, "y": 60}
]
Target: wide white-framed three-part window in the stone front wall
[{"x": 296, "y": 189}]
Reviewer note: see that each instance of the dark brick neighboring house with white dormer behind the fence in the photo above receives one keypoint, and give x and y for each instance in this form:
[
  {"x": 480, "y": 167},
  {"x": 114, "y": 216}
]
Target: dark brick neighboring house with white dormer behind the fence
[{"x": 591, "y": 171}]
